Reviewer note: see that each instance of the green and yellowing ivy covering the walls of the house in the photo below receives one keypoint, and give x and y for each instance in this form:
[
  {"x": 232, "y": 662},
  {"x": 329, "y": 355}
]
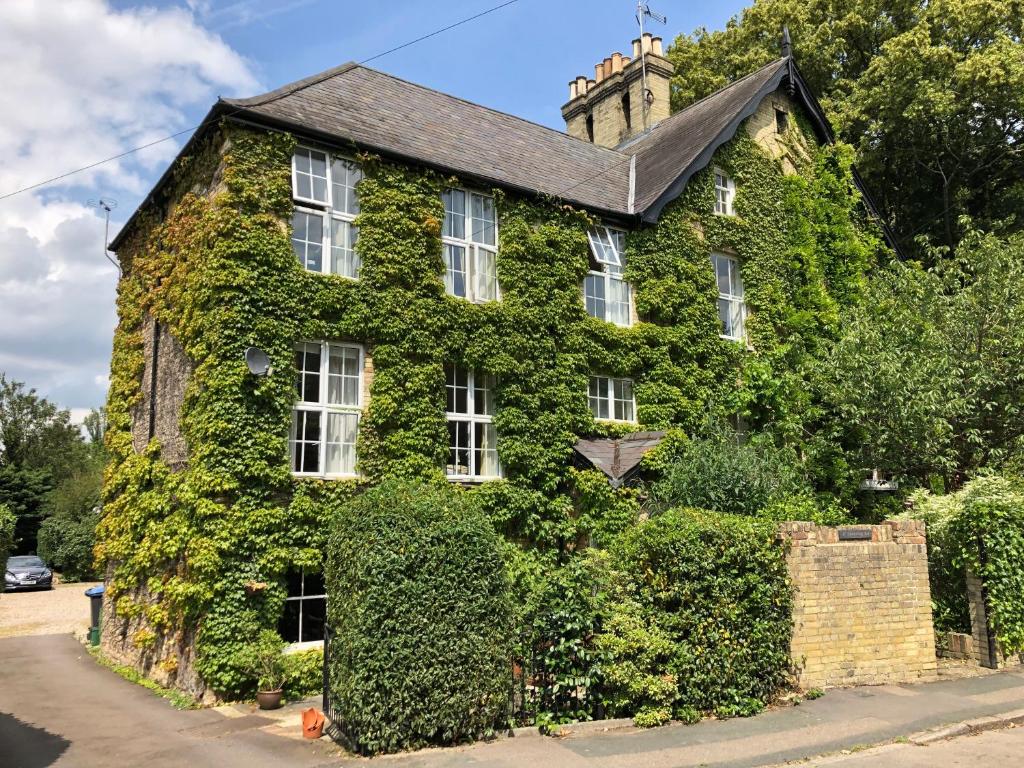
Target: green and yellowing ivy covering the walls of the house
[{"x": 184, "y": 548}]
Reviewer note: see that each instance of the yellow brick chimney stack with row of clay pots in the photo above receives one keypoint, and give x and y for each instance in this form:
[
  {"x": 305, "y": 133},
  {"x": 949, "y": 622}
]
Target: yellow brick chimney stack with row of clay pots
[{"x": 611, "y": 108}]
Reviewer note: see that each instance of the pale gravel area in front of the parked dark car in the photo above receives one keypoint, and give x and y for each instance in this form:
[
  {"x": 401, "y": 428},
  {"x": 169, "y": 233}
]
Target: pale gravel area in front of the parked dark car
[{"x": 61, "y": 611}]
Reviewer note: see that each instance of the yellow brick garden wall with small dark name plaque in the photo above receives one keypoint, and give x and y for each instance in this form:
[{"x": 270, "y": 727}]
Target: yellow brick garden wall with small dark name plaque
[{"x": 863, "y": 607}]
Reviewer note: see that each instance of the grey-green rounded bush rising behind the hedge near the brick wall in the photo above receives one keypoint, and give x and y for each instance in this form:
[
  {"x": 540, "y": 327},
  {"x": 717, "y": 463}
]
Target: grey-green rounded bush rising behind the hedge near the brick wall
[{"x": 721, "y": 475}]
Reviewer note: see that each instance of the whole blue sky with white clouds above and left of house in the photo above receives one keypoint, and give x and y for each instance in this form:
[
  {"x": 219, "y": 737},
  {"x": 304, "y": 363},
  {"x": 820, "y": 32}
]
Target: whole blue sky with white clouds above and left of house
[{"x": 146, "y": 70}]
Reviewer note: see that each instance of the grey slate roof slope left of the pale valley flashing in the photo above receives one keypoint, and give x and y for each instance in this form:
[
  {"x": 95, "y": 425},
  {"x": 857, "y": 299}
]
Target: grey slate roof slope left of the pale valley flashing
[{"x": 385, "y": 113}]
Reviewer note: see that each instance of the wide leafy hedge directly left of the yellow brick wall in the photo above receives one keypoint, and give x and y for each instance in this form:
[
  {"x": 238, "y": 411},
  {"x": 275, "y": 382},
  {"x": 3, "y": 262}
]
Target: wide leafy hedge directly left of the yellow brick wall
[{"x": 700, "y": 618}]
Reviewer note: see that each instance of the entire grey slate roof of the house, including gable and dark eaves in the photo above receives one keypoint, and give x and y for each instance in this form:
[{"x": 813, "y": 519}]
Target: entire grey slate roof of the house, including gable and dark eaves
[{"x": 359, "y": 107}]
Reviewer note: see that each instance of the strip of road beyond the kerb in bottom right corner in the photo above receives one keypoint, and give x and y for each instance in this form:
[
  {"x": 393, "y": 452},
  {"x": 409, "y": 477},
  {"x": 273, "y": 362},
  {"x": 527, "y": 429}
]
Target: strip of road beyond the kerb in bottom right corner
[{"x": 1004, "y": 749}]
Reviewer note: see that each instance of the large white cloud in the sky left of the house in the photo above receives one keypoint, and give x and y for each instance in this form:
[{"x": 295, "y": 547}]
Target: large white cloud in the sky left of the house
[{"x": 83, "y": 81}]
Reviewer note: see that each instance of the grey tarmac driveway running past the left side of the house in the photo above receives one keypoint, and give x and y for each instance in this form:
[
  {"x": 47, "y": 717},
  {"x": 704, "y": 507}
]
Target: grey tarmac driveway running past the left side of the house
[{"x": 60, "y": 708}]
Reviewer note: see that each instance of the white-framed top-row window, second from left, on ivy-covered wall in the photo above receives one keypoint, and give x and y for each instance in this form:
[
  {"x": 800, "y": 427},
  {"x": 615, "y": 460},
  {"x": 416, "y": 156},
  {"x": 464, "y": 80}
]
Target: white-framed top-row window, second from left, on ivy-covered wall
[{"x": 471, "y": 246}]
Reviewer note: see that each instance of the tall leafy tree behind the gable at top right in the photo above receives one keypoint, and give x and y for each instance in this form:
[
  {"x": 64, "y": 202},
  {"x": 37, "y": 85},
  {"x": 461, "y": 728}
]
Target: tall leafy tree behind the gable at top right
[{"x": 931, "y": 95}]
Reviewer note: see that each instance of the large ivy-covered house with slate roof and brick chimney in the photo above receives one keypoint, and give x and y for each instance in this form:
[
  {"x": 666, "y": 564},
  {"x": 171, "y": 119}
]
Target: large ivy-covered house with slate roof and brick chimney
[{"x": 446, "y": 291}]
